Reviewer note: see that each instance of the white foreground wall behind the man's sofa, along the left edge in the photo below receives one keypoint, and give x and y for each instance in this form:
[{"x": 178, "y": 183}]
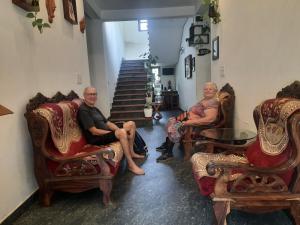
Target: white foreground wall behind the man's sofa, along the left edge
[{"x": 32, "y": 62}]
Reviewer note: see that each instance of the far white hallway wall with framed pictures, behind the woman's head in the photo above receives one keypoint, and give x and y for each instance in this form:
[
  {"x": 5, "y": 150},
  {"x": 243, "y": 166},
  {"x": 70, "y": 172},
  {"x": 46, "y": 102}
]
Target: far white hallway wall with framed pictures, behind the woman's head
[{"x": 190, "y": 90}]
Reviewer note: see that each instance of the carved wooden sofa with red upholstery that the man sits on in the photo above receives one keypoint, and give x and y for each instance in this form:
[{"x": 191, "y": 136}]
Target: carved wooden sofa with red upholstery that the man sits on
[{"x": 63, "y": 161}]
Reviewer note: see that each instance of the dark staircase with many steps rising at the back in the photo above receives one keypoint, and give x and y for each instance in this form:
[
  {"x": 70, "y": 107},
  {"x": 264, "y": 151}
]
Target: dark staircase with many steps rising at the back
[{"x": 130, "y": 93}]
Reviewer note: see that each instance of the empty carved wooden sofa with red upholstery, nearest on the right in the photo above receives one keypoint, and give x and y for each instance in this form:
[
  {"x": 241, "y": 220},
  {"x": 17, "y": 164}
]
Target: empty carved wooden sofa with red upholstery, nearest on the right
[{"x": 265, "y": 177}]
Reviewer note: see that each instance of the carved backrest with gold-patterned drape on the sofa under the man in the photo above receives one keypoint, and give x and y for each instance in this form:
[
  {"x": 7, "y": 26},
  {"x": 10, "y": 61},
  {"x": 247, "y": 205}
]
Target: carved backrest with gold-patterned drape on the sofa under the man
[{"x": 52, "y": 123}]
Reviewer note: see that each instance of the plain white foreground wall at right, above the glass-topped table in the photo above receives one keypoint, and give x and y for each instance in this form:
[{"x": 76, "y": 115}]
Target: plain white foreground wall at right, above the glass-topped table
[{"x": 259, "y": 49}]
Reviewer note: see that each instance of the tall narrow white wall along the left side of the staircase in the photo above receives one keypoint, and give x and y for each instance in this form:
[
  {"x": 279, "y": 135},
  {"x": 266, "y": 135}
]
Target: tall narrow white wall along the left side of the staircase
[{"x": 106, "y": 49}]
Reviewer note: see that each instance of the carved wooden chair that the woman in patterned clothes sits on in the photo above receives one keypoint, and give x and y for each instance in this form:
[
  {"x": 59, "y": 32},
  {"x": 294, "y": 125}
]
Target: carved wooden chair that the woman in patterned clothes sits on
[{"x": 226, "y": 98}]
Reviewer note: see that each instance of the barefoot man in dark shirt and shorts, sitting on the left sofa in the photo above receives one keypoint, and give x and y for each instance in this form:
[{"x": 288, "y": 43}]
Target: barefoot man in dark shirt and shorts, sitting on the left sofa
[{"x": 99, "y": 131}]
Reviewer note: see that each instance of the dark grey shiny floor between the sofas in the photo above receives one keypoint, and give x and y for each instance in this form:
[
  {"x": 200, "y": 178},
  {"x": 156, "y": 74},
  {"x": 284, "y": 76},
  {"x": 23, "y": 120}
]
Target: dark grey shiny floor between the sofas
[{"x": 166, "y": 195}]
